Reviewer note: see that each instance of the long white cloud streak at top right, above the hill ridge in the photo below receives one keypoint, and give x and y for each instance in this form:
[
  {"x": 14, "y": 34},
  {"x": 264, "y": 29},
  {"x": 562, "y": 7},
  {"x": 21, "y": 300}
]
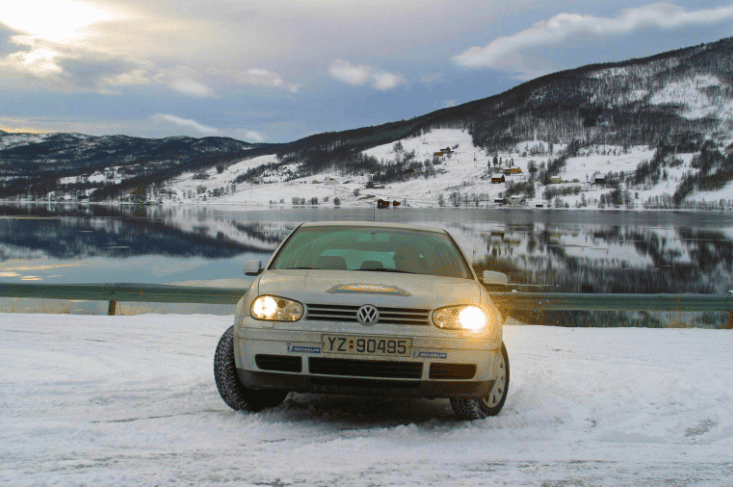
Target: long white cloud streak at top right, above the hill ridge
[{"x": 519, "y": 52}]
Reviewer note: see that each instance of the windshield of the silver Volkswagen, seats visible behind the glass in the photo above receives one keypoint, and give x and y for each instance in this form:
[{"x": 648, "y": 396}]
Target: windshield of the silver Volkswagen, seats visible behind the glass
[{"x": 372, "y": 249}]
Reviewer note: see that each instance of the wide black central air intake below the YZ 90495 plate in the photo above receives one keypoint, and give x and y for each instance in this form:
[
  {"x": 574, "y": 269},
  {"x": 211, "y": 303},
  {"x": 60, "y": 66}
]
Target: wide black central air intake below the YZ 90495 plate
[{"x": 365, "y": 368}]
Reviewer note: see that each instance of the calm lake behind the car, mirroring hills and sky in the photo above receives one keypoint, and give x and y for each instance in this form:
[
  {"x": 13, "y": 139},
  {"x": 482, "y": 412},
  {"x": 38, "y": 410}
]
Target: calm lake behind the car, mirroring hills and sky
[{"x": 558, "y": 250}]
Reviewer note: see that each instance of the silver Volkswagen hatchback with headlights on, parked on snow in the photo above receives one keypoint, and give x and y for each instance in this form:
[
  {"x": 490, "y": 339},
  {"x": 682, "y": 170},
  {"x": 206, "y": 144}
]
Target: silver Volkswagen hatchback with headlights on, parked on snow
[{"x": 365, "y": 308}]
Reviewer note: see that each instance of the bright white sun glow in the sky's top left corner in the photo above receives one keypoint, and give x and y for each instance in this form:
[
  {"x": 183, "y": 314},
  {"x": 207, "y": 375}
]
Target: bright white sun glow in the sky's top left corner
[{"x": 52, "y": 20}]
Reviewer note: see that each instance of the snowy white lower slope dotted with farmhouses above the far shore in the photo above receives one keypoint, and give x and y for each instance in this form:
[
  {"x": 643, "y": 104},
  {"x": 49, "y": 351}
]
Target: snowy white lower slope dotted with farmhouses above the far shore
[{"x": 462, "y": 178}]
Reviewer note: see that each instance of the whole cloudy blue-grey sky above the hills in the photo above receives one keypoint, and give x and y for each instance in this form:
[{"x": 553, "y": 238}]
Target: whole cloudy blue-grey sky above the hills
[{"x": 279, "y": 70}]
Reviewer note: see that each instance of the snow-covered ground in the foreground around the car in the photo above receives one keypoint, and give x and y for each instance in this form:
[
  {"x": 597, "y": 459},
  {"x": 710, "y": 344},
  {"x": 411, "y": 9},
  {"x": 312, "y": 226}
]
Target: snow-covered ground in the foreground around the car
[{"x": 98, "y": 400}]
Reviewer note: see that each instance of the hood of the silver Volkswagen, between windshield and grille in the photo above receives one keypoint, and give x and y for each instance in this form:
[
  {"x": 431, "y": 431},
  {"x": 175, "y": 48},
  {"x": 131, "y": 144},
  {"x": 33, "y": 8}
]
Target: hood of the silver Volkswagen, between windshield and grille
[{"x": 364, "y": 287}]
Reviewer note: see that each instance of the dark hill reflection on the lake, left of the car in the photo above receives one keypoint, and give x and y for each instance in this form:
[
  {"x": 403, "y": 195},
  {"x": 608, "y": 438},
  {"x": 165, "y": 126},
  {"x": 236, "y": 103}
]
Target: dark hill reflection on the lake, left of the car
[{"x": 70, "y": 234}]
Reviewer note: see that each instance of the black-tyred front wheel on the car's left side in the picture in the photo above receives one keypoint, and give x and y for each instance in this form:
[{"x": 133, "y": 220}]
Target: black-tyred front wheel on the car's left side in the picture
[{"x": 234, "y": 393}]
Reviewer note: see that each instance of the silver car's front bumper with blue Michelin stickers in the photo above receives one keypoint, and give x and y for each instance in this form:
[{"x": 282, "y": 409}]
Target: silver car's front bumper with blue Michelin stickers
[{"x": 439, "y": 366}]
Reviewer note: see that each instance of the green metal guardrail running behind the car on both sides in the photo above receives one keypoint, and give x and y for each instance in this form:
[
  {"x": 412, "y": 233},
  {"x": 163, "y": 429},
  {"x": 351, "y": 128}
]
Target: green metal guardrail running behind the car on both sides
[{"x": 155, "y": 293}]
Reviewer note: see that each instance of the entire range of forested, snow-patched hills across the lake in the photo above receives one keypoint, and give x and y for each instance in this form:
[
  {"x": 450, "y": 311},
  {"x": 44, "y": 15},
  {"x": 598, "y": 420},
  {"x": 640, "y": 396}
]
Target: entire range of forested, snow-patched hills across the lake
[{"x": 652, "y": 132}]
